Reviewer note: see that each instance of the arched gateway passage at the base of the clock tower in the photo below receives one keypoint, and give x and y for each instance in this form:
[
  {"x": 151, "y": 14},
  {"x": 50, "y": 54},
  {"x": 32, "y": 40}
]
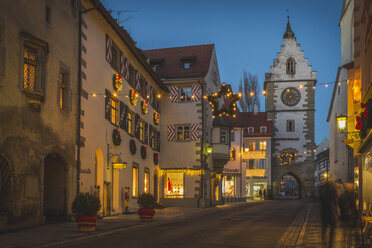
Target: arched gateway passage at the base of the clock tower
[{"x": 289, "y": 187}]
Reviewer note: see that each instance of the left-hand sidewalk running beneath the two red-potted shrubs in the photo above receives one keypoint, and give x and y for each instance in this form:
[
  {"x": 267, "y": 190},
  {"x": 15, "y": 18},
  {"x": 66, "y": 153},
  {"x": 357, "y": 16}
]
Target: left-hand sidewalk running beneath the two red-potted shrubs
[{"x": 50, "y": 235}]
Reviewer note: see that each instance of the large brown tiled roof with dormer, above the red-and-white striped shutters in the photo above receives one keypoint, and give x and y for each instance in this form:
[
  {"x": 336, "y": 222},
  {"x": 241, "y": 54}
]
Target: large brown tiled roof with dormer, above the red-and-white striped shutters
[{"x": 171, "y": 60}]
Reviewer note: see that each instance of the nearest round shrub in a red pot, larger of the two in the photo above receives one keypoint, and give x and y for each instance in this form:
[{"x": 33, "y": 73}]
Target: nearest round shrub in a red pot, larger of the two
[{"x": 84, "y": 208}]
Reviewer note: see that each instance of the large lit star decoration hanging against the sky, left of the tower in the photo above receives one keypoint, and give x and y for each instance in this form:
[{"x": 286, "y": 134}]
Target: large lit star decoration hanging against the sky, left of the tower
[{"x": 224, "y": 92}]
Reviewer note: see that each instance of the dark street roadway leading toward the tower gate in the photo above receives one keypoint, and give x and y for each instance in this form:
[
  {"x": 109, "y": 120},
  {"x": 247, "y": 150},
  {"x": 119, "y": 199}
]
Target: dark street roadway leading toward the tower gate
[{"x": 260, "y": 224}]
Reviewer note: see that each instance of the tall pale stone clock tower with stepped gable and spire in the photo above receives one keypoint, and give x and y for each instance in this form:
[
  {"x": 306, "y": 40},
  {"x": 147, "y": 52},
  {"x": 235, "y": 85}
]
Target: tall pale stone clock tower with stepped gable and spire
[{"x": 290, "y": 96}]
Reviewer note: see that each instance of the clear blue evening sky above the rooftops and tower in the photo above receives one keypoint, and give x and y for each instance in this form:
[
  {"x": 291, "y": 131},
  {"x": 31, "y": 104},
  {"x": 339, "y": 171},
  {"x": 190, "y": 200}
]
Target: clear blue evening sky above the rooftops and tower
[{"x": 247, "y": 35}]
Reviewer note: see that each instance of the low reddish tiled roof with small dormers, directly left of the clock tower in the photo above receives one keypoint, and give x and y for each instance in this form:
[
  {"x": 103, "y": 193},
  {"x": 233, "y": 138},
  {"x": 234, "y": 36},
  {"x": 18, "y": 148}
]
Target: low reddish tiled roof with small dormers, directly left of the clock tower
[{"x": 245, "y": 120}]
